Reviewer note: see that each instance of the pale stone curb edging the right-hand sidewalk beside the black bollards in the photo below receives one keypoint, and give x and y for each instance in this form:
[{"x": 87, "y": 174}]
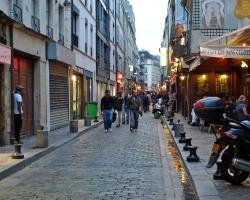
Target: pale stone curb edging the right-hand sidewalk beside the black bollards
[{"x": 204, "y": 188}]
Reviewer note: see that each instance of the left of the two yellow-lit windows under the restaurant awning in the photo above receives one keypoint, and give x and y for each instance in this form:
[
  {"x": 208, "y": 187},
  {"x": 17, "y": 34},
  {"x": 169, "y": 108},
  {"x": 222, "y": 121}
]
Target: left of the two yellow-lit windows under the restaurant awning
[{"x": 202, "y": 87}]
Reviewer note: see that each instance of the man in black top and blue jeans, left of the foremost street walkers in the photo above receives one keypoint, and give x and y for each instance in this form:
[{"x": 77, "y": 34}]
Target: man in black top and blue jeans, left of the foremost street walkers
[{"x": 107, "y": 104}]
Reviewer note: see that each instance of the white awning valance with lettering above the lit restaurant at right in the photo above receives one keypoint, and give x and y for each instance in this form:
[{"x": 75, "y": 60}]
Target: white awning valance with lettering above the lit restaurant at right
[{"x": 225, "y": 52}]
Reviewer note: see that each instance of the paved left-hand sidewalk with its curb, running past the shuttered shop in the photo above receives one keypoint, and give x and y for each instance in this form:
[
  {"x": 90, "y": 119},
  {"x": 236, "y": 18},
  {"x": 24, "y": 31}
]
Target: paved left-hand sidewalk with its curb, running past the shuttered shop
[{"x": 56, "y": 139}]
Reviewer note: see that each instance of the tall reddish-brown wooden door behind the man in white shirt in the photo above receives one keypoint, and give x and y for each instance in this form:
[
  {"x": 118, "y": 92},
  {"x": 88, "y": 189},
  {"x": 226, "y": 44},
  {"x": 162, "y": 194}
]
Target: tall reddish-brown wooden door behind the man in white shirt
[{"x": 23, "y": 75}]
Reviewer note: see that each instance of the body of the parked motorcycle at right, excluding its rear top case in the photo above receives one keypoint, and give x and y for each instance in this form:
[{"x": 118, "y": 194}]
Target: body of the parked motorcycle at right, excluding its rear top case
[{"x": 232, "y": 145}]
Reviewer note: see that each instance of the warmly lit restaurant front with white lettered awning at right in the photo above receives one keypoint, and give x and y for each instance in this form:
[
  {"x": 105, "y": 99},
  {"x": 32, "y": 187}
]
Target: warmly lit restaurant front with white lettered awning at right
[{"x": 222, "y": 68}]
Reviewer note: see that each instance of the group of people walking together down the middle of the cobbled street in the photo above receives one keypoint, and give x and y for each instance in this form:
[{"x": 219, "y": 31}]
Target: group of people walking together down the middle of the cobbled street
[{"x": 127, "y": 108}]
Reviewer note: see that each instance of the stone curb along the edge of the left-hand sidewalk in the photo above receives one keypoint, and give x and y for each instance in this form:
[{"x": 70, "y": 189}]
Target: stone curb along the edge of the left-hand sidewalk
[{"x": 27, "y": 161}]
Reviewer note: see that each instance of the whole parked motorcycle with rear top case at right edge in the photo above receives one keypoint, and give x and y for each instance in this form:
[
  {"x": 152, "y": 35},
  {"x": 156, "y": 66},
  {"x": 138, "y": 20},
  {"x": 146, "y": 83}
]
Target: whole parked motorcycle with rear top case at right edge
[{"x": 232, "y": 143}]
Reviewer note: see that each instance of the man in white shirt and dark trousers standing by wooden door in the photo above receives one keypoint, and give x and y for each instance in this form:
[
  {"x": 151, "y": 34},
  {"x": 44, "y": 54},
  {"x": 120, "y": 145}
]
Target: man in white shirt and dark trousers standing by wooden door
[{"x": 18, "y": 111}]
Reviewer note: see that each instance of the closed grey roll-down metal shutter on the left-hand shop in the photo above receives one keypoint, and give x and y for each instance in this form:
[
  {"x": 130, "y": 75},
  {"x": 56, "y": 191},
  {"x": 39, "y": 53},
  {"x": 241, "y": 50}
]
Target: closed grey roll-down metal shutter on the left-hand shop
[{"x": 59, "y": 96}]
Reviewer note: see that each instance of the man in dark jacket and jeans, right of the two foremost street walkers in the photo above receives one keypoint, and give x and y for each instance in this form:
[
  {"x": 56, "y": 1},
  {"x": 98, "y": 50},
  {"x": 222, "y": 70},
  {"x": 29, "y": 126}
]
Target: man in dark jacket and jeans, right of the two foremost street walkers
[{"x": 134, "y": 105}]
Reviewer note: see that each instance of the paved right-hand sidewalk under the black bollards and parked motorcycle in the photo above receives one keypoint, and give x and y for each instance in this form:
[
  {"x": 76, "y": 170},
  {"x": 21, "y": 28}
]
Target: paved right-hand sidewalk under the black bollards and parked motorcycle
[{"x": 206, "y": 187}]
